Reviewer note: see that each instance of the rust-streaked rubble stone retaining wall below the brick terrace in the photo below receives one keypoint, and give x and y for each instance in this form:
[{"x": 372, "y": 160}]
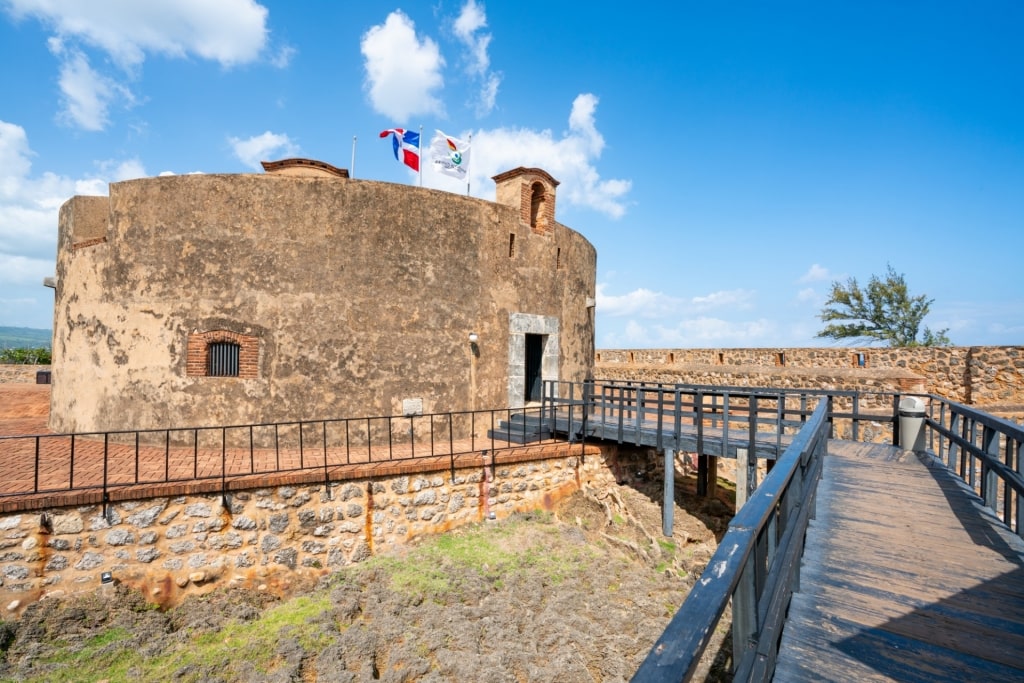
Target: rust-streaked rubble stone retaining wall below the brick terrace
[{"x": 268, "y": 538}]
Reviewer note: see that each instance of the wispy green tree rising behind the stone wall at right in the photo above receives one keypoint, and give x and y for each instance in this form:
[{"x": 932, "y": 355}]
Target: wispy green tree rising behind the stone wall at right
[{"x": 883, "y": 312}]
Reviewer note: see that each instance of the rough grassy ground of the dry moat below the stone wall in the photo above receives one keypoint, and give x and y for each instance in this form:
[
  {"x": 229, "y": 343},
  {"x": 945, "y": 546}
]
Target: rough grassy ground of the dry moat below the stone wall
[{"x": 578, "y": 595}]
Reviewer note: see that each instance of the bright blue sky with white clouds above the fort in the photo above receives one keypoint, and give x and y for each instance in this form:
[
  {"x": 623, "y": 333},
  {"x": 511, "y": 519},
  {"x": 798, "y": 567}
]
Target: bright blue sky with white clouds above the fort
[{"x": 729, "y": 161}]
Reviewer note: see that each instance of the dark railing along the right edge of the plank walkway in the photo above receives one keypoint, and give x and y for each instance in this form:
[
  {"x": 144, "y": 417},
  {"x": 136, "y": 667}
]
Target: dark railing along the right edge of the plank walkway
[{"x": 985, "y": 451}]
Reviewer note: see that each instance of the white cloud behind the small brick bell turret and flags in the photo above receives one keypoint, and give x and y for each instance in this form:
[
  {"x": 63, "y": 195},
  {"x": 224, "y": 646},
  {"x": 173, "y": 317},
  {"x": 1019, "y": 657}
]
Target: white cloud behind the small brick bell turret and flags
[{"x": 571, "y": 159}]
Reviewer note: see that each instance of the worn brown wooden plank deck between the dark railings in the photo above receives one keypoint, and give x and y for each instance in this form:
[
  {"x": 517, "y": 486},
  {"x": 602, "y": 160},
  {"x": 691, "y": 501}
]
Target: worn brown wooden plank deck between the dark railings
[{"x": 907, "y": 577}]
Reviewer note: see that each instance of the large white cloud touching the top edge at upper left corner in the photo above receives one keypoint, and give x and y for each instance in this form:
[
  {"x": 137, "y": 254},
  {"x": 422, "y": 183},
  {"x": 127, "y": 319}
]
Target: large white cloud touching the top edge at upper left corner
[{"x": 229, "y": 32}]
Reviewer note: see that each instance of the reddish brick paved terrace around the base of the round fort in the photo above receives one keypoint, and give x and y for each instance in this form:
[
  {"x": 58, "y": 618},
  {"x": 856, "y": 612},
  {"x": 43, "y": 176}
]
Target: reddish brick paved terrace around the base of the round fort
[{"x": 64, "y": 471}]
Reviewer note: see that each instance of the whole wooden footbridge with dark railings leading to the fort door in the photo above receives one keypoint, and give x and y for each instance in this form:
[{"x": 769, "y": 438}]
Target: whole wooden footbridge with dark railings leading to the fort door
[{"x": 851, "y": 561}]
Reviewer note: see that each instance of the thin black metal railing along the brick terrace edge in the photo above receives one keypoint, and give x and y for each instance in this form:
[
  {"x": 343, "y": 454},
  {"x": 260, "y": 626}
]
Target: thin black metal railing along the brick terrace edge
[{"x": 49, "y": 464}]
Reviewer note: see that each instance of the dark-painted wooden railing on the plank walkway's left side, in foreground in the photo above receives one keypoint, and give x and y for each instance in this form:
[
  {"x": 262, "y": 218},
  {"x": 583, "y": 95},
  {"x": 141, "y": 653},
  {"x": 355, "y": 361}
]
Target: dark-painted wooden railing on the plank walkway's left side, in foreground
[{"x": 757, "y": 567}]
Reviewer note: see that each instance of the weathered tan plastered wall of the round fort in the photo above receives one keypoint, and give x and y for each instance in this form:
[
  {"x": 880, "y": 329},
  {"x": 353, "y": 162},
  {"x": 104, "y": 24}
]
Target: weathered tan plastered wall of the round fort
[{"x": 361, "y": 294}]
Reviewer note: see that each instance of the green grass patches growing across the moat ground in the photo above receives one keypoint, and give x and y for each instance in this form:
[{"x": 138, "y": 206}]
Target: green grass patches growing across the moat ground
[{"x": 433, "y": 570}]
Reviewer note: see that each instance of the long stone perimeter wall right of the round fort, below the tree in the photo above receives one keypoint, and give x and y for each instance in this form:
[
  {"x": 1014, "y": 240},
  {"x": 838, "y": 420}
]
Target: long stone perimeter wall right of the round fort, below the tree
[{"x": 985, "y": 376}]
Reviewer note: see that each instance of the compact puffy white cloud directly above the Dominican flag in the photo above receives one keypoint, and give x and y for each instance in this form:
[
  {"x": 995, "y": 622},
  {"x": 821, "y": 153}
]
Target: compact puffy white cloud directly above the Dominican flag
[{"x": 403, "y": 73}]
